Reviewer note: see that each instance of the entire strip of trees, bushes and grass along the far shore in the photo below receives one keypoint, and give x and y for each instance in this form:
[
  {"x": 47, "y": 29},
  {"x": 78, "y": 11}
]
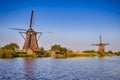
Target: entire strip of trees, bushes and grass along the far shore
[{"x": 12, "y": 51}]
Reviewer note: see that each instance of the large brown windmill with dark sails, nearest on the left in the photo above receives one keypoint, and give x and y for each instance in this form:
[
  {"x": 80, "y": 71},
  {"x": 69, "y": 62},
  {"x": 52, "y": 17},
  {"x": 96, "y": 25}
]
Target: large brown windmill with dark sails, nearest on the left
[{"x": 31, "y": 41}]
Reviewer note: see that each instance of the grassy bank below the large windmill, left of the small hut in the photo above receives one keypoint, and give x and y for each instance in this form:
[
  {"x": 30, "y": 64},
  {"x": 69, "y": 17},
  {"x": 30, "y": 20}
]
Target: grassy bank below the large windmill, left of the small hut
[{"x": 4, "y": 53}]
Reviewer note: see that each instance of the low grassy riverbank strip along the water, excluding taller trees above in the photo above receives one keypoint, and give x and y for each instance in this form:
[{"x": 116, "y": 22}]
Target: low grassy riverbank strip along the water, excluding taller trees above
[{"x": 14, "y": 54}]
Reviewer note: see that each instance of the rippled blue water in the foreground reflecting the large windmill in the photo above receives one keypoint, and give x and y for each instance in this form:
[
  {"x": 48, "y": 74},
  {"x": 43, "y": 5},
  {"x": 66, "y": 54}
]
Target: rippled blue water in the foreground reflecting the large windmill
[{"x": 107, "y": 68}]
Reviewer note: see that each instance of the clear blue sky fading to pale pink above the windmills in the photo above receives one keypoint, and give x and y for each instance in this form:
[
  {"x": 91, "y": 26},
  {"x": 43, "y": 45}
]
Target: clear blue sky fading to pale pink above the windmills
[{"x": 75, "y": 24}]
